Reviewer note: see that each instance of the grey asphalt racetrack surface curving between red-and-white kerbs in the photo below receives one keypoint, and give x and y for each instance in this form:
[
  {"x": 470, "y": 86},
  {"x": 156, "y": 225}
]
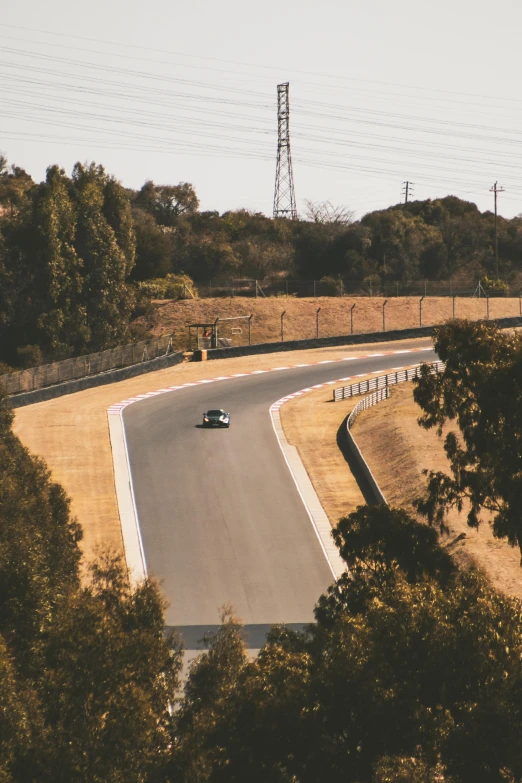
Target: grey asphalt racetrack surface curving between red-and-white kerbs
[{"x": 221, "y": 519}]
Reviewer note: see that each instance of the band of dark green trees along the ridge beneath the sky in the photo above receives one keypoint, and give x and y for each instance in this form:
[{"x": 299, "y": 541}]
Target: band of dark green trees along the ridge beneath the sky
[{"x": 81, "y": 256}]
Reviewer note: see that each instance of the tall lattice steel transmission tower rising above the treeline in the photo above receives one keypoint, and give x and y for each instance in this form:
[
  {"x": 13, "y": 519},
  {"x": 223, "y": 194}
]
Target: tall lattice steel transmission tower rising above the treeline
[{"x": 284, "y": 195}]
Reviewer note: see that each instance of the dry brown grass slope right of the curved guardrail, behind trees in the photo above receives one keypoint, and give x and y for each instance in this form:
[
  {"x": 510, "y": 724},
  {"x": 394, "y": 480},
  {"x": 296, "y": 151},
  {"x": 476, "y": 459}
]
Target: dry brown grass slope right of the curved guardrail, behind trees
[{"x": 397, "y": 450}]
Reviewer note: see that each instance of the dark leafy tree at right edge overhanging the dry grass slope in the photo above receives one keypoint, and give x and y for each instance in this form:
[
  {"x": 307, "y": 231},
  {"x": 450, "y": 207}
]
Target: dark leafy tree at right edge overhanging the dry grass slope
[{"x": 481, "y": 390}]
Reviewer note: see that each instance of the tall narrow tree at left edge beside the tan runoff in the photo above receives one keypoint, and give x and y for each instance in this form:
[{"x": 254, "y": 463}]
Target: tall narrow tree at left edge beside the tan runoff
[{"x": 39, "y": 553}]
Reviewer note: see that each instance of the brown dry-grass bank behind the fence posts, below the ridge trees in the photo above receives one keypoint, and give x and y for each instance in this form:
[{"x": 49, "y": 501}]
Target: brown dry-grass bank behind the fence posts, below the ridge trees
[{"x": 334, "y": 316}]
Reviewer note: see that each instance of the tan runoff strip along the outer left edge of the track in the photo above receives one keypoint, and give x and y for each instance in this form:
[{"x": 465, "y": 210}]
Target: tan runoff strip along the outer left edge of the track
[{"x": 71, "y": 433}]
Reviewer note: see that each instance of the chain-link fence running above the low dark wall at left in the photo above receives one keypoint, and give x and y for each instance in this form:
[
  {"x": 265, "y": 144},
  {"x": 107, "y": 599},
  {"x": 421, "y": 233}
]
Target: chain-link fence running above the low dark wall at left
[{"x": 83, "y": 366}]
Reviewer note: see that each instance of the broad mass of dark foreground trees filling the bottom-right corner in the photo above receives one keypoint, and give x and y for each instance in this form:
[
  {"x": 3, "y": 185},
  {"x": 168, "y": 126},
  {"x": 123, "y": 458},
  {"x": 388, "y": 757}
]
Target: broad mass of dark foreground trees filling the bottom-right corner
[{"x": 421, "y": 683}]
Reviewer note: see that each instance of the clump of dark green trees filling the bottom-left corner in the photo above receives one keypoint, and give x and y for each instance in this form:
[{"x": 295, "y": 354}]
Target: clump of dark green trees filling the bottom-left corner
[{"x": 87, "y": 677}]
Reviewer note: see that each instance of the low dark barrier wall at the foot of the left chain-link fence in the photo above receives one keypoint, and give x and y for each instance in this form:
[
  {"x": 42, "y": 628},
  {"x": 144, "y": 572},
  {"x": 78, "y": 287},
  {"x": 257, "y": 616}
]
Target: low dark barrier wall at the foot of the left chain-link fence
[{"x": 91, "y": 381}]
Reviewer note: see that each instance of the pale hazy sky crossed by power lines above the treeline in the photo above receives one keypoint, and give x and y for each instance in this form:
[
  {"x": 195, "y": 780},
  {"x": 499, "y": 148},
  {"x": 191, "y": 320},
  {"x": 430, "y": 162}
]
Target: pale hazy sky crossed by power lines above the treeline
[{"x": 380, "y": 92}]
